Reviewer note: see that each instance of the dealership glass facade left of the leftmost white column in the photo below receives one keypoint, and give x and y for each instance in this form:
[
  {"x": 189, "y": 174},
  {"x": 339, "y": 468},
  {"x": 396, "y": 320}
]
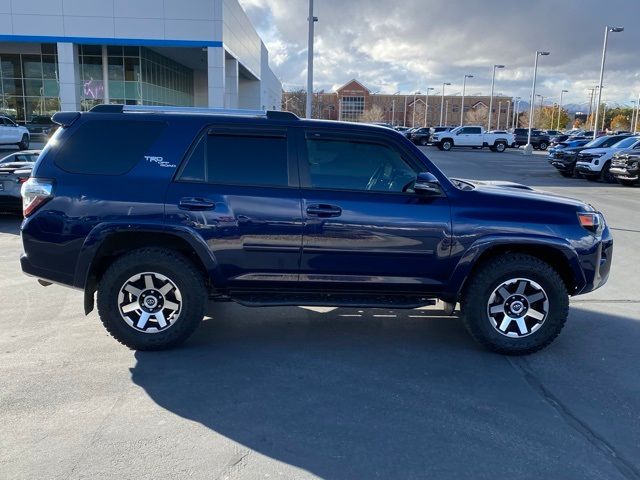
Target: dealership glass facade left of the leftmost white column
[{"x": 29, "y": 84}]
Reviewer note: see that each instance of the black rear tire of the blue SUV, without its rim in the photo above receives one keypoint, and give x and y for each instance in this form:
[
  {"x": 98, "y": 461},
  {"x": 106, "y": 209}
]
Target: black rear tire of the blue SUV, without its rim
[{"x": 181, "y": 271}]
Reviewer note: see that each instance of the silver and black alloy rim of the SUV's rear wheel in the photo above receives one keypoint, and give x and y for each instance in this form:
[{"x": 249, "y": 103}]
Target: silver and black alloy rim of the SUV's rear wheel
[{"x": 149, "y": 302}]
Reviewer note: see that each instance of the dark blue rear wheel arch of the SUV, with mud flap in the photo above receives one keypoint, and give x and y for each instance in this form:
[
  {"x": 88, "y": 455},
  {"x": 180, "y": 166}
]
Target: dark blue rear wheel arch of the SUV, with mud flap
[{"x": 107, "y": 243}]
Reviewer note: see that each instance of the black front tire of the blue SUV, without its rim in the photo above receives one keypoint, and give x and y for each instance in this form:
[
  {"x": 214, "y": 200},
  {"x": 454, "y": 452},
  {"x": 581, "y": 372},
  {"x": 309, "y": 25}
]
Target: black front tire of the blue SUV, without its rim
[{"x": 491, "y": 274}]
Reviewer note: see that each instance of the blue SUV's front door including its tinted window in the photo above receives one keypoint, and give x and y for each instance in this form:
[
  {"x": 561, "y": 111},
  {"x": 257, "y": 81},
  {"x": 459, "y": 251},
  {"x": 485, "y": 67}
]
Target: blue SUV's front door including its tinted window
[{"x": 364, "y": 228}]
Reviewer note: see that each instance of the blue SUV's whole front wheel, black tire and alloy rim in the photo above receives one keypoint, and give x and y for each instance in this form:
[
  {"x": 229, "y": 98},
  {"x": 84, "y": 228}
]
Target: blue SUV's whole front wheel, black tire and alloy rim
[{"x": 515, "y": 304}]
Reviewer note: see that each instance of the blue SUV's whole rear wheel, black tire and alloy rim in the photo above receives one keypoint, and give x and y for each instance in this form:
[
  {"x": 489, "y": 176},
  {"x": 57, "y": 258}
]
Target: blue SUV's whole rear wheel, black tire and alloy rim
[{"x": 151, "y": 299}]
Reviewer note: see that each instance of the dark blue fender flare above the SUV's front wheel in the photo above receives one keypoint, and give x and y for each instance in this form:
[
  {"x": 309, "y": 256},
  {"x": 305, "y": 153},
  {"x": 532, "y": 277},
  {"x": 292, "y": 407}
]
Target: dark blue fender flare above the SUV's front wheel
[{"x": 471, "y": 256}]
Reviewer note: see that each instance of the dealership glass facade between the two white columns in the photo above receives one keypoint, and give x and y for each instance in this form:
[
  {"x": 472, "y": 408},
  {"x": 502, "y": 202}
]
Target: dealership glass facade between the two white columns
[{"x": 137, "y": 76}]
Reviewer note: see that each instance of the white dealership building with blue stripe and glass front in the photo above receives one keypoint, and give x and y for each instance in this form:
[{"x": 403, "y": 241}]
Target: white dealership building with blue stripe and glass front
[{"x": 74, "y": 54}]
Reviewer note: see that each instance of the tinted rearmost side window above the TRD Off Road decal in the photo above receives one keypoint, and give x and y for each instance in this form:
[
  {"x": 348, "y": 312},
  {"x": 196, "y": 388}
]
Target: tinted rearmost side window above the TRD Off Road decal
[{"x": 108, "y": 147}]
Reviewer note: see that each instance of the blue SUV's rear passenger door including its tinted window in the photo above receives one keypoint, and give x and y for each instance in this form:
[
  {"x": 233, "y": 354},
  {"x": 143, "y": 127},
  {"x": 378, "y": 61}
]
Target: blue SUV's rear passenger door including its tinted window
[{"x": 238, "y": 189}]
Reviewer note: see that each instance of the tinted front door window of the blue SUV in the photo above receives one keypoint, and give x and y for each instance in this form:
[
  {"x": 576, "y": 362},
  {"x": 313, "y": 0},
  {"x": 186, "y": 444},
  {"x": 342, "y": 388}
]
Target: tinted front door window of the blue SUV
[{"x": 353, "y": 165}]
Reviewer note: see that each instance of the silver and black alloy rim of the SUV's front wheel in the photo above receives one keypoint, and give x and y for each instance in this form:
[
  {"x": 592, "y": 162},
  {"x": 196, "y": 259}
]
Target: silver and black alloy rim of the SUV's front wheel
[{"x": 518, "y": 307}]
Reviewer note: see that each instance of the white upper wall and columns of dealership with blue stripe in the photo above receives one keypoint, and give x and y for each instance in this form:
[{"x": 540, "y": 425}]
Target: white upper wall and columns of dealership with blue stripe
[{"x": 217, "y": 25}]
